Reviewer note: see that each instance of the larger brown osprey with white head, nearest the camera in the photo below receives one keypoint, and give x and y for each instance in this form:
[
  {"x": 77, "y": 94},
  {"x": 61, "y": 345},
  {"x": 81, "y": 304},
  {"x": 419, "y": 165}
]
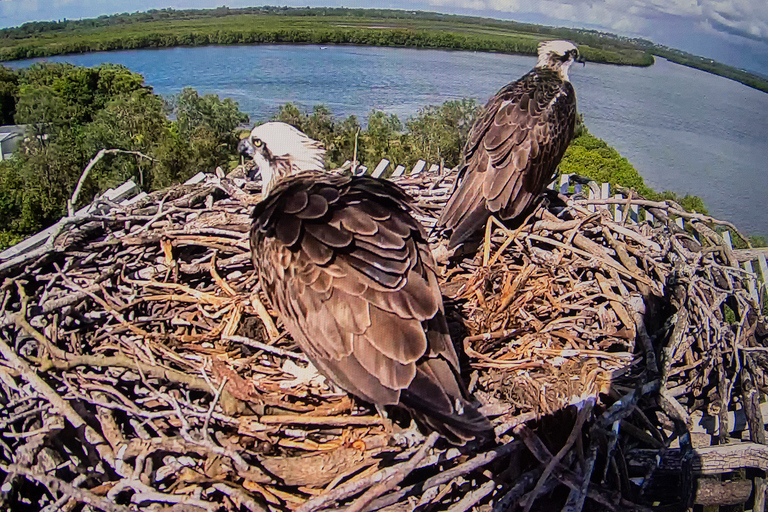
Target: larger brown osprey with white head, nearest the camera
[{"x": 350, "y": 273}]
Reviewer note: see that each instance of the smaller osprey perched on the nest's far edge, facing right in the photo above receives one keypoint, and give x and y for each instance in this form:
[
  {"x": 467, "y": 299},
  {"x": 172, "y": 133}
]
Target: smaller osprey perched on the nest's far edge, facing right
[{"x": 515, "y": 146}]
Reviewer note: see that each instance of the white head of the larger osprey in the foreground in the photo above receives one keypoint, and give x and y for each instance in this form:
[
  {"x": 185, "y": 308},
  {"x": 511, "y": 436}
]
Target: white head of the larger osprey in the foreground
[{"x": 280, "y": 150}]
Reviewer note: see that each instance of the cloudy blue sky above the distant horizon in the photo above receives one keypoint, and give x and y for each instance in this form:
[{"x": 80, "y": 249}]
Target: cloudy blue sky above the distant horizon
[{"x": 732, "y": 31}]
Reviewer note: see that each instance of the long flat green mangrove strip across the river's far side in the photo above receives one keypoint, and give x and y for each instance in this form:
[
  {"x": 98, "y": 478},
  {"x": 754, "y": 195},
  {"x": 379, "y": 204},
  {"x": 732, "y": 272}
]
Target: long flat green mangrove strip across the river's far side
[{"x": 166, "y": 28}]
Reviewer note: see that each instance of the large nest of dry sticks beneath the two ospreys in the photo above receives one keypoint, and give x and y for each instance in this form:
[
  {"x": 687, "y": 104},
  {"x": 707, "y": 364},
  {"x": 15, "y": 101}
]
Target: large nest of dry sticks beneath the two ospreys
[{"x": 622, "y": 365}]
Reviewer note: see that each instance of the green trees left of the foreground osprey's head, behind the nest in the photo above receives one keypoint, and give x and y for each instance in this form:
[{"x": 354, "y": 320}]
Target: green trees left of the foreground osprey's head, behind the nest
[{"x": 73, "y": 112}]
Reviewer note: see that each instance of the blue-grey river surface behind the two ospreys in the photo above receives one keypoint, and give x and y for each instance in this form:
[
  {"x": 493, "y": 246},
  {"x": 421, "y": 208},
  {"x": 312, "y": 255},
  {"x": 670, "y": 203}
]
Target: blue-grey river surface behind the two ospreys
[{"x": 683, "y": 129}]
